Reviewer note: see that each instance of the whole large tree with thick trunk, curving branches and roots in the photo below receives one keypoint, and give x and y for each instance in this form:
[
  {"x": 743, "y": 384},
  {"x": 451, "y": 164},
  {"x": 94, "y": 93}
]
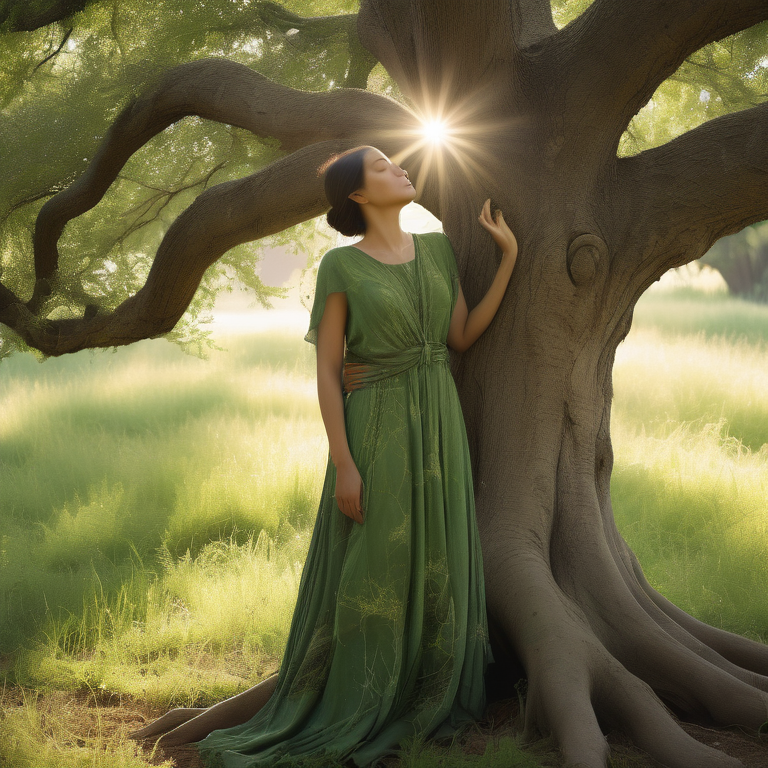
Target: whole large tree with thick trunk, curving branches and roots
[{"x": 537, "y": 114}]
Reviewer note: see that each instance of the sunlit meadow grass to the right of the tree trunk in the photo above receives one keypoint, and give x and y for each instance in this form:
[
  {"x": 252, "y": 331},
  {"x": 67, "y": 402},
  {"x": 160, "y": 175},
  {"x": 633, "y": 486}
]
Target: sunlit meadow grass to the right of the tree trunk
[{"x": 690, "y": 437}]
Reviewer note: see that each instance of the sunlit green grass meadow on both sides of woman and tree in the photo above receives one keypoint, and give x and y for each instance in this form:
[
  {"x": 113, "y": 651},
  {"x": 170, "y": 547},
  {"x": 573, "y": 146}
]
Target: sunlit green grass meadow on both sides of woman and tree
[{"x": 156, "y": 509}]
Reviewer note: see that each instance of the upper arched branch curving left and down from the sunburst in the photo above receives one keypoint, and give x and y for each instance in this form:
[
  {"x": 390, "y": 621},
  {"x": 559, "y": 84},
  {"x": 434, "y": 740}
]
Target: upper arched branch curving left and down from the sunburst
[{"x": 215, "y": 89}]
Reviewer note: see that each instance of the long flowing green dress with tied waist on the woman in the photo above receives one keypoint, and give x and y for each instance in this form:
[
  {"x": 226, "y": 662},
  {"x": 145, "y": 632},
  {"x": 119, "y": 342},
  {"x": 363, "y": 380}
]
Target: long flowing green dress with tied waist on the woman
[{"x": 389, "y": 637}]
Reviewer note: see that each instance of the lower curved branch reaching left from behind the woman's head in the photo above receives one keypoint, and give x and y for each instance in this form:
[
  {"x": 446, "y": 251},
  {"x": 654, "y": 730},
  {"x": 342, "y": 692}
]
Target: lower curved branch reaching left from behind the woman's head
[{"x": 285, "y": 193}]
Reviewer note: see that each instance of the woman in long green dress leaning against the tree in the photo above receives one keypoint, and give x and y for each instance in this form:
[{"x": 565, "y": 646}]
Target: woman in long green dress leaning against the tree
[{"x": 389, "y": 635}]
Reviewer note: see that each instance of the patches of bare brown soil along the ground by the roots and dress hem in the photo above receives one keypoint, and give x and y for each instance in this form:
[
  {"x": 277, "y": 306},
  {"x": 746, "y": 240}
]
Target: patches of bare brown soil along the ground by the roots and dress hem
[{"x": 113, "y": 716}]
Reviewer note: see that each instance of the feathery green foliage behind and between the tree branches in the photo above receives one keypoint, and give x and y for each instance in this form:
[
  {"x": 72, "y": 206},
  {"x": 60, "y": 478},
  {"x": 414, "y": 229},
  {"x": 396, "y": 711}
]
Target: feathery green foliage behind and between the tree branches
[{"x": 61, "y": 87}]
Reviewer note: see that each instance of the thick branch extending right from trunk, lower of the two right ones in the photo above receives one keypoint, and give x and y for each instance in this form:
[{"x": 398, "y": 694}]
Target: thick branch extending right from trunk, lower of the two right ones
[{"x": 710, "y": 182}]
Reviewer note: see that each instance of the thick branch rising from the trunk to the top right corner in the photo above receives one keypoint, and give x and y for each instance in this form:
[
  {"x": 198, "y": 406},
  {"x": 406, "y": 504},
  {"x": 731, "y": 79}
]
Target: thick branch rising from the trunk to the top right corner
[{"x": 616, "y": 54}]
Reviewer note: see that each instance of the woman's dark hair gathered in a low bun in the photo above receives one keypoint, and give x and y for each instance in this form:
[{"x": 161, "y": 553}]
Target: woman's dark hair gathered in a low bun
[{"x": 343, "y": 174}]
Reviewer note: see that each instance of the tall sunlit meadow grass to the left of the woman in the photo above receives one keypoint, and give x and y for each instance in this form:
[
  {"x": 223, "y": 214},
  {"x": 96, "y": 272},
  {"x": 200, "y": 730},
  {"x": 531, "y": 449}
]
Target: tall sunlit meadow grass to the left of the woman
[{"x": 120, "y": 473}]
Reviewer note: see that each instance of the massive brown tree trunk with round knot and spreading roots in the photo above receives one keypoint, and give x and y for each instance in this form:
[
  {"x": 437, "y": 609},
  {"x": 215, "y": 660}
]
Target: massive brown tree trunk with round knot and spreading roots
[{"x": 566, "y": 596}]
